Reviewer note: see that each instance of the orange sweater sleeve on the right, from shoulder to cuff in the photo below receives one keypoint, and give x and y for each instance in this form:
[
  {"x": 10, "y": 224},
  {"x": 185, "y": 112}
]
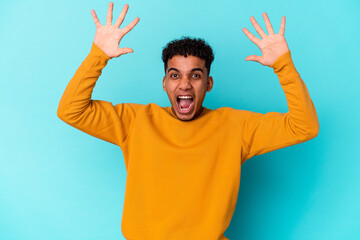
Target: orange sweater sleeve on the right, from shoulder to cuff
[{"x": 263, "y": 133}]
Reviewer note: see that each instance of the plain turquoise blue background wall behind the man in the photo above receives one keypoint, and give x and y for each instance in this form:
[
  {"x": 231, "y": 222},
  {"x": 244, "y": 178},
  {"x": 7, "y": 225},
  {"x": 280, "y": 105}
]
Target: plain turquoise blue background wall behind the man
[{"x": 57, "y": 182}]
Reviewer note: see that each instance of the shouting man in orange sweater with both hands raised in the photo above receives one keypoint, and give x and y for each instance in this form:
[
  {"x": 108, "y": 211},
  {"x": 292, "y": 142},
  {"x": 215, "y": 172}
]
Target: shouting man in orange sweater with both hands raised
[{"x": 184, "y": 162}]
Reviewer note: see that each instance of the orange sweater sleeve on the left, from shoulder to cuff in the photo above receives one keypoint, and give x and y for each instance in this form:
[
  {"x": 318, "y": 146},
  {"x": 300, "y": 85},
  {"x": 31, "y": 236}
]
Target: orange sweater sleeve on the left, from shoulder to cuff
[{"x": 98, "y": 118}]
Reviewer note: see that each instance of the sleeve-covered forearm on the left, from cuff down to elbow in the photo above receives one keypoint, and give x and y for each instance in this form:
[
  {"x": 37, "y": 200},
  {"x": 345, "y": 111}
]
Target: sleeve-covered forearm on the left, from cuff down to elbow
[{"x": 77, "y": 95}]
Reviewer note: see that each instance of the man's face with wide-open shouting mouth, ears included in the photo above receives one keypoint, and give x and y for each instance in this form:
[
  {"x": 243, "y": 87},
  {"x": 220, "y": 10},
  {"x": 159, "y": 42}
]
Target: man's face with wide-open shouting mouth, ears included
[{"x": 186, "y": 83}]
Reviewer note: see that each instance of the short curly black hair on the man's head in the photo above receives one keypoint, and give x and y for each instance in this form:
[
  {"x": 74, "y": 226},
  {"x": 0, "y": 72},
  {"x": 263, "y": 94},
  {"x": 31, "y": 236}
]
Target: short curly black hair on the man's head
[{"x": 188, "y": 46}]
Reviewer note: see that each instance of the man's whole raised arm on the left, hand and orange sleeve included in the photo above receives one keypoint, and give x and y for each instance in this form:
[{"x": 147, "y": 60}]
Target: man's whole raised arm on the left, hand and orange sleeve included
[{"x": 95, "y": 117}]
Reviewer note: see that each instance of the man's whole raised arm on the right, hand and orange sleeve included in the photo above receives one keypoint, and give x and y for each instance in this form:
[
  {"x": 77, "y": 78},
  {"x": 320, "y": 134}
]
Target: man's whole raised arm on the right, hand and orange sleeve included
[{"x": 267, "y": 132}]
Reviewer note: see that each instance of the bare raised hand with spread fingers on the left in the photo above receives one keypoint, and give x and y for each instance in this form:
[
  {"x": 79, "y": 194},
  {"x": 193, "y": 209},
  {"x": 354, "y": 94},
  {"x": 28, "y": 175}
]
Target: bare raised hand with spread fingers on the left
[{"x": 107, "y": 37}]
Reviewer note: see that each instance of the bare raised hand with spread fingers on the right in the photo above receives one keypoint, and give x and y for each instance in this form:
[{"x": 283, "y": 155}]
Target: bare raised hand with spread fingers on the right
[{"x": 272, "y": 46}]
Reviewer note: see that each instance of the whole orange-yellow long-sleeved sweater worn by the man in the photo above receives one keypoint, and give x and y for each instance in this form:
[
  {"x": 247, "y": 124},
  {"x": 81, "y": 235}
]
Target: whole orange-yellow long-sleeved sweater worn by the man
[{"x": 183, "y": 177}]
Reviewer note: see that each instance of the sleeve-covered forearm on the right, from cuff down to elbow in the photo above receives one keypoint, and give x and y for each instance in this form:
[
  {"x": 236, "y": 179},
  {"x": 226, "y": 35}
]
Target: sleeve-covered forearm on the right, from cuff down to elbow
[{"x": 301, "y": 118}]
